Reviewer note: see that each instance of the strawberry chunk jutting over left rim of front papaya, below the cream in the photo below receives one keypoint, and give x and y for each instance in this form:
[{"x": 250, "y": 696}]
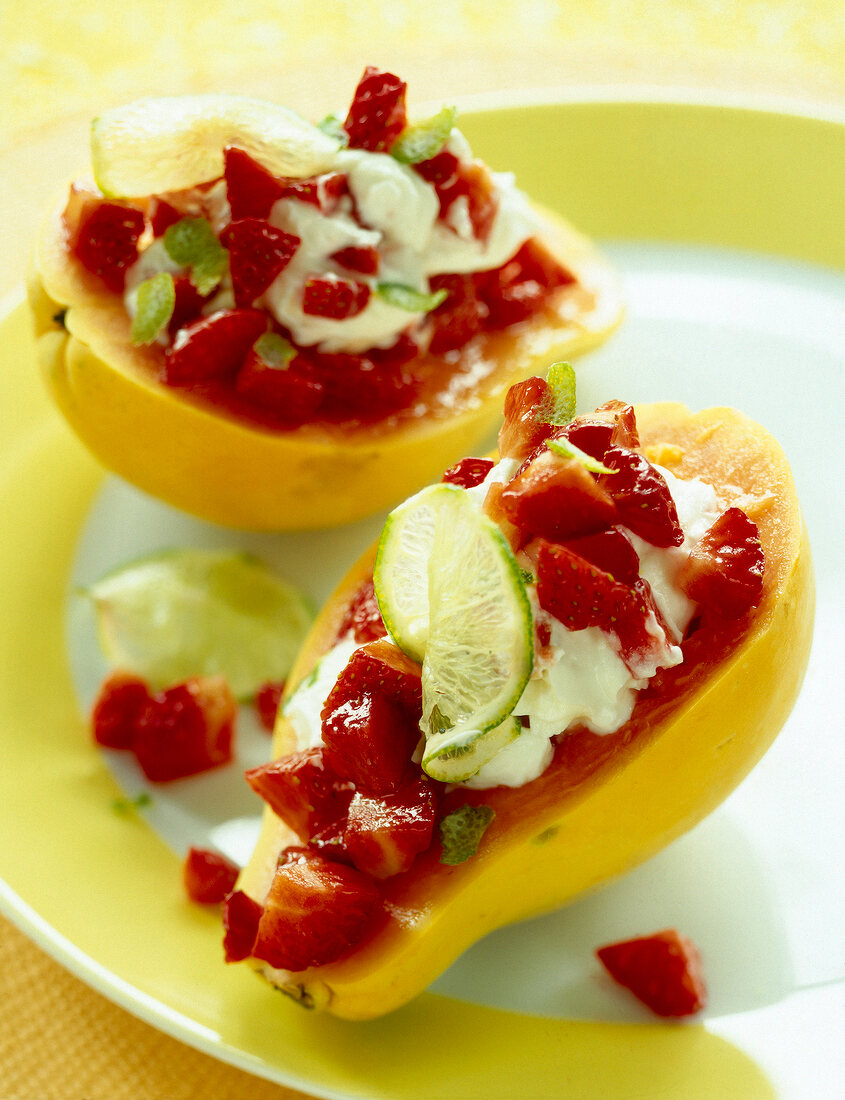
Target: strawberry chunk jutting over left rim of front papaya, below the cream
[{"x": 303, "y": 790}]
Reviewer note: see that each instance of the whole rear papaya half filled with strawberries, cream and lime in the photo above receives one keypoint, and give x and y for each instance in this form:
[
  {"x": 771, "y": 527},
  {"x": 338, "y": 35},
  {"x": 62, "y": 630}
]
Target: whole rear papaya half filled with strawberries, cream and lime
[{"x": 277, "y": 325}]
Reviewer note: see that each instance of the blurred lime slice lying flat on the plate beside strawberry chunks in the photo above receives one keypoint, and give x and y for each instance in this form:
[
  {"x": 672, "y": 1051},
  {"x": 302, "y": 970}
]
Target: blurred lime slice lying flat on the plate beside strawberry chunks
[{"x": 185, "y": 613}]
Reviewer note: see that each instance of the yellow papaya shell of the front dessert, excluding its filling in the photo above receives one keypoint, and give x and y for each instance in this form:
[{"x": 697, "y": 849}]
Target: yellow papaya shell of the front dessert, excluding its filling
[{"x": 606, "y": 804}]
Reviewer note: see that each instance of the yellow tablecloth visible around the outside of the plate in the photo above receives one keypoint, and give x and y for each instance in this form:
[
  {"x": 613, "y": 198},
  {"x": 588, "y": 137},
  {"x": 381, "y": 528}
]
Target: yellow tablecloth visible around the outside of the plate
[{"x": 62, "y": 64}]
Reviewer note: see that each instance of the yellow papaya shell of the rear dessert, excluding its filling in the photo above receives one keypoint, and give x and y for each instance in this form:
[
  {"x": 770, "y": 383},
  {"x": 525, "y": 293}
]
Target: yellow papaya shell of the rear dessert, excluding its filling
[{"x": 205, "y": 461}]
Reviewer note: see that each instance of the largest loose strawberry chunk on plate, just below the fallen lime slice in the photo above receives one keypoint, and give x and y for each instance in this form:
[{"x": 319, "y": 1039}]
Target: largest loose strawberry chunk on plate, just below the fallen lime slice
[{"x": 186, "y": 730}]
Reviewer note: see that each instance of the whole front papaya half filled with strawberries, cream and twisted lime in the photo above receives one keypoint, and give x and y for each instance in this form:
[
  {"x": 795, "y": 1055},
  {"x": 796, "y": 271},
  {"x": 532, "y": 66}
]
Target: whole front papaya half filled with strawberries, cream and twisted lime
[{"x": 555, "y": 664}]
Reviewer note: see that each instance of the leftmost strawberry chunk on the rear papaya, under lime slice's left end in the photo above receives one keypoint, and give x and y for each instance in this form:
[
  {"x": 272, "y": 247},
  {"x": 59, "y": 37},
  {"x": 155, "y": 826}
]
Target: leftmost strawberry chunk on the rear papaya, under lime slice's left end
[{"x": 104, "y": 237}]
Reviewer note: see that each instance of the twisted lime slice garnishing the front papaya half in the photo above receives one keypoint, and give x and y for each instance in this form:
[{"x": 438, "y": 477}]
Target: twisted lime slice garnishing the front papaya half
[{"x": 454, "y": 598}]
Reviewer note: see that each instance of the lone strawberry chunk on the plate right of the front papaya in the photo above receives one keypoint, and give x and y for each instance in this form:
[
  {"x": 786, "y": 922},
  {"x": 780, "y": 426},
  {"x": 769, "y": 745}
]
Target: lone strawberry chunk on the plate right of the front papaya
[{"x": 663, "y": 971}]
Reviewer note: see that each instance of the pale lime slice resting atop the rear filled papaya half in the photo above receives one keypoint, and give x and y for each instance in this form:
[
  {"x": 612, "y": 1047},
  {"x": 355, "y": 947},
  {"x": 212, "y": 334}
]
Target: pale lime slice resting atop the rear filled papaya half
[{"x": 173, "y": 142}]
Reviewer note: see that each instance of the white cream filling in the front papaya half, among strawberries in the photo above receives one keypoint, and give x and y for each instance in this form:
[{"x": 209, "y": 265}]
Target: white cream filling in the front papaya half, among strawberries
[{"x": 579, "y": 679}]
